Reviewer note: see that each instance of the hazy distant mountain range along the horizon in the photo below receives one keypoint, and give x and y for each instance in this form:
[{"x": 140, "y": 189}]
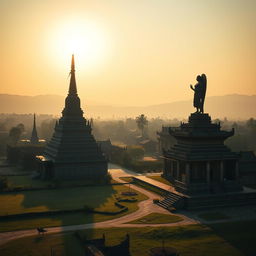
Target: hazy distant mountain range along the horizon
[{"x": 231, "y": 106}]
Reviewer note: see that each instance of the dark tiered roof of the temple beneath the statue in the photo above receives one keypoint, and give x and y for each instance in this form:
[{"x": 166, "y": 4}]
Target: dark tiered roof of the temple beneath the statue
[{"x": 200, "y": 139}]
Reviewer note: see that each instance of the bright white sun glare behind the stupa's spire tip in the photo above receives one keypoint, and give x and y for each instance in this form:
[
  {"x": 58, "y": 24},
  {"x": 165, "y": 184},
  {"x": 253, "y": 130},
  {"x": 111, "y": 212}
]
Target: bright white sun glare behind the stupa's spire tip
[{"x": 84, "y": 39}]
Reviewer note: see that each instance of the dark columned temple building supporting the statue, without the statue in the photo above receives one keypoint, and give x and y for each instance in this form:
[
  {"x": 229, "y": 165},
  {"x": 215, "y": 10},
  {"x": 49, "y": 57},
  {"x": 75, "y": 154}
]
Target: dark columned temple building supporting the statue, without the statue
[{"x": 202, "y": 159}]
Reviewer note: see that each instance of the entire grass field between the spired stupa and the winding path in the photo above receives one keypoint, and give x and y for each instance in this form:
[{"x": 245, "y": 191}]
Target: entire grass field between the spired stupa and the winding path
[{"x": 101, "y": 198}]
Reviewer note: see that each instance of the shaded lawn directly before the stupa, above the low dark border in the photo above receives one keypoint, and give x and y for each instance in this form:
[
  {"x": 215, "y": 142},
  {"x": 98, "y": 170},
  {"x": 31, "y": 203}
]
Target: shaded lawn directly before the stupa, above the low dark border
[{"x": 98, "y": 197}]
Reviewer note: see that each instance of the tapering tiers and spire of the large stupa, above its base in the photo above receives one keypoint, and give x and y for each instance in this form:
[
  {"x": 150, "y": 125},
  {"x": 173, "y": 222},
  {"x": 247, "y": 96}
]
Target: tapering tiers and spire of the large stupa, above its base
[{"x": 72, "y": 141}]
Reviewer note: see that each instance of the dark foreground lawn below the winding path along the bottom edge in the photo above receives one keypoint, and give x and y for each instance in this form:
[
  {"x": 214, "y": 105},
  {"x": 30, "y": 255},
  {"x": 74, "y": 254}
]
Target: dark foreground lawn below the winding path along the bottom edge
[{"x": 227, "y": 239}]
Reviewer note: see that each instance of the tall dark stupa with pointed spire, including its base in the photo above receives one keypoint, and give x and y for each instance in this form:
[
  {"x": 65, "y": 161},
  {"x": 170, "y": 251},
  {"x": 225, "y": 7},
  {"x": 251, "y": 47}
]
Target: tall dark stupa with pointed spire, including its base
[{"x": 72, "y": 152}]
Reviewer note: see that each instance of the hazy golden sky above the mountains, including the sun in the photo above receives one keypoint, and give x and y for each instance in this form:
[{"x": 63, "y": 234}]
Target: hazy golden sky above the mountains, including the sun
[{"x": 132, "y": 52}]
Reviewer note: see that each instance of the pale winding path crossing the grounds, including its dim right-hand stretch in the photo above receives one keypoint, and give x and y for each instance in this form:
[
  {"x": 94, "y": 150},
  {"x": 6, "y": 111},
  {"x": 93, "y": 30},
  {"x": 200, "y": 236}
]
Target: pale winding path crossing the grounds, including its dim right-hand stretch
[{"x": 145, "y": 207}]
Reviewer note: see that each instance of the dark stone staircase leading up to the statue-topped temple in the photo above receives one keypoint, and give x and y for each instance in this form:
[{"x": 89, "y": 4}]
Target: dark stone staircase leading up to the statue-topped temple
[{"x": 172, "y": 201}]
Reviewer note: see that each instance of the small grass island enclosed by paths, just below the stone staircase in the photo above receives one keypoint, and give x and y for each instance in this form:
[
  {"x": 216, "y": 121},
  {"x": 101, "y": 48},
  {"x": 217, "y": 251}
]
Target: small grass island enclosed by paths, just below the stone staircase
[{"x": 157, "y": 218}]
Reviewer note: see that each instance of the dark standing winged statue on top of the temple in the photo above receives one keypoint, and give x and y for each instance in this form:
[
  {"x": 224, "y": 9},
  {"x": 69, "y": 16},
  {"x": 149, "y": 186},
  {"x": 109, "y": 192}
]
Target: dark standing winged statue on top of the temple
[{"x": 199, "y": 93}]
